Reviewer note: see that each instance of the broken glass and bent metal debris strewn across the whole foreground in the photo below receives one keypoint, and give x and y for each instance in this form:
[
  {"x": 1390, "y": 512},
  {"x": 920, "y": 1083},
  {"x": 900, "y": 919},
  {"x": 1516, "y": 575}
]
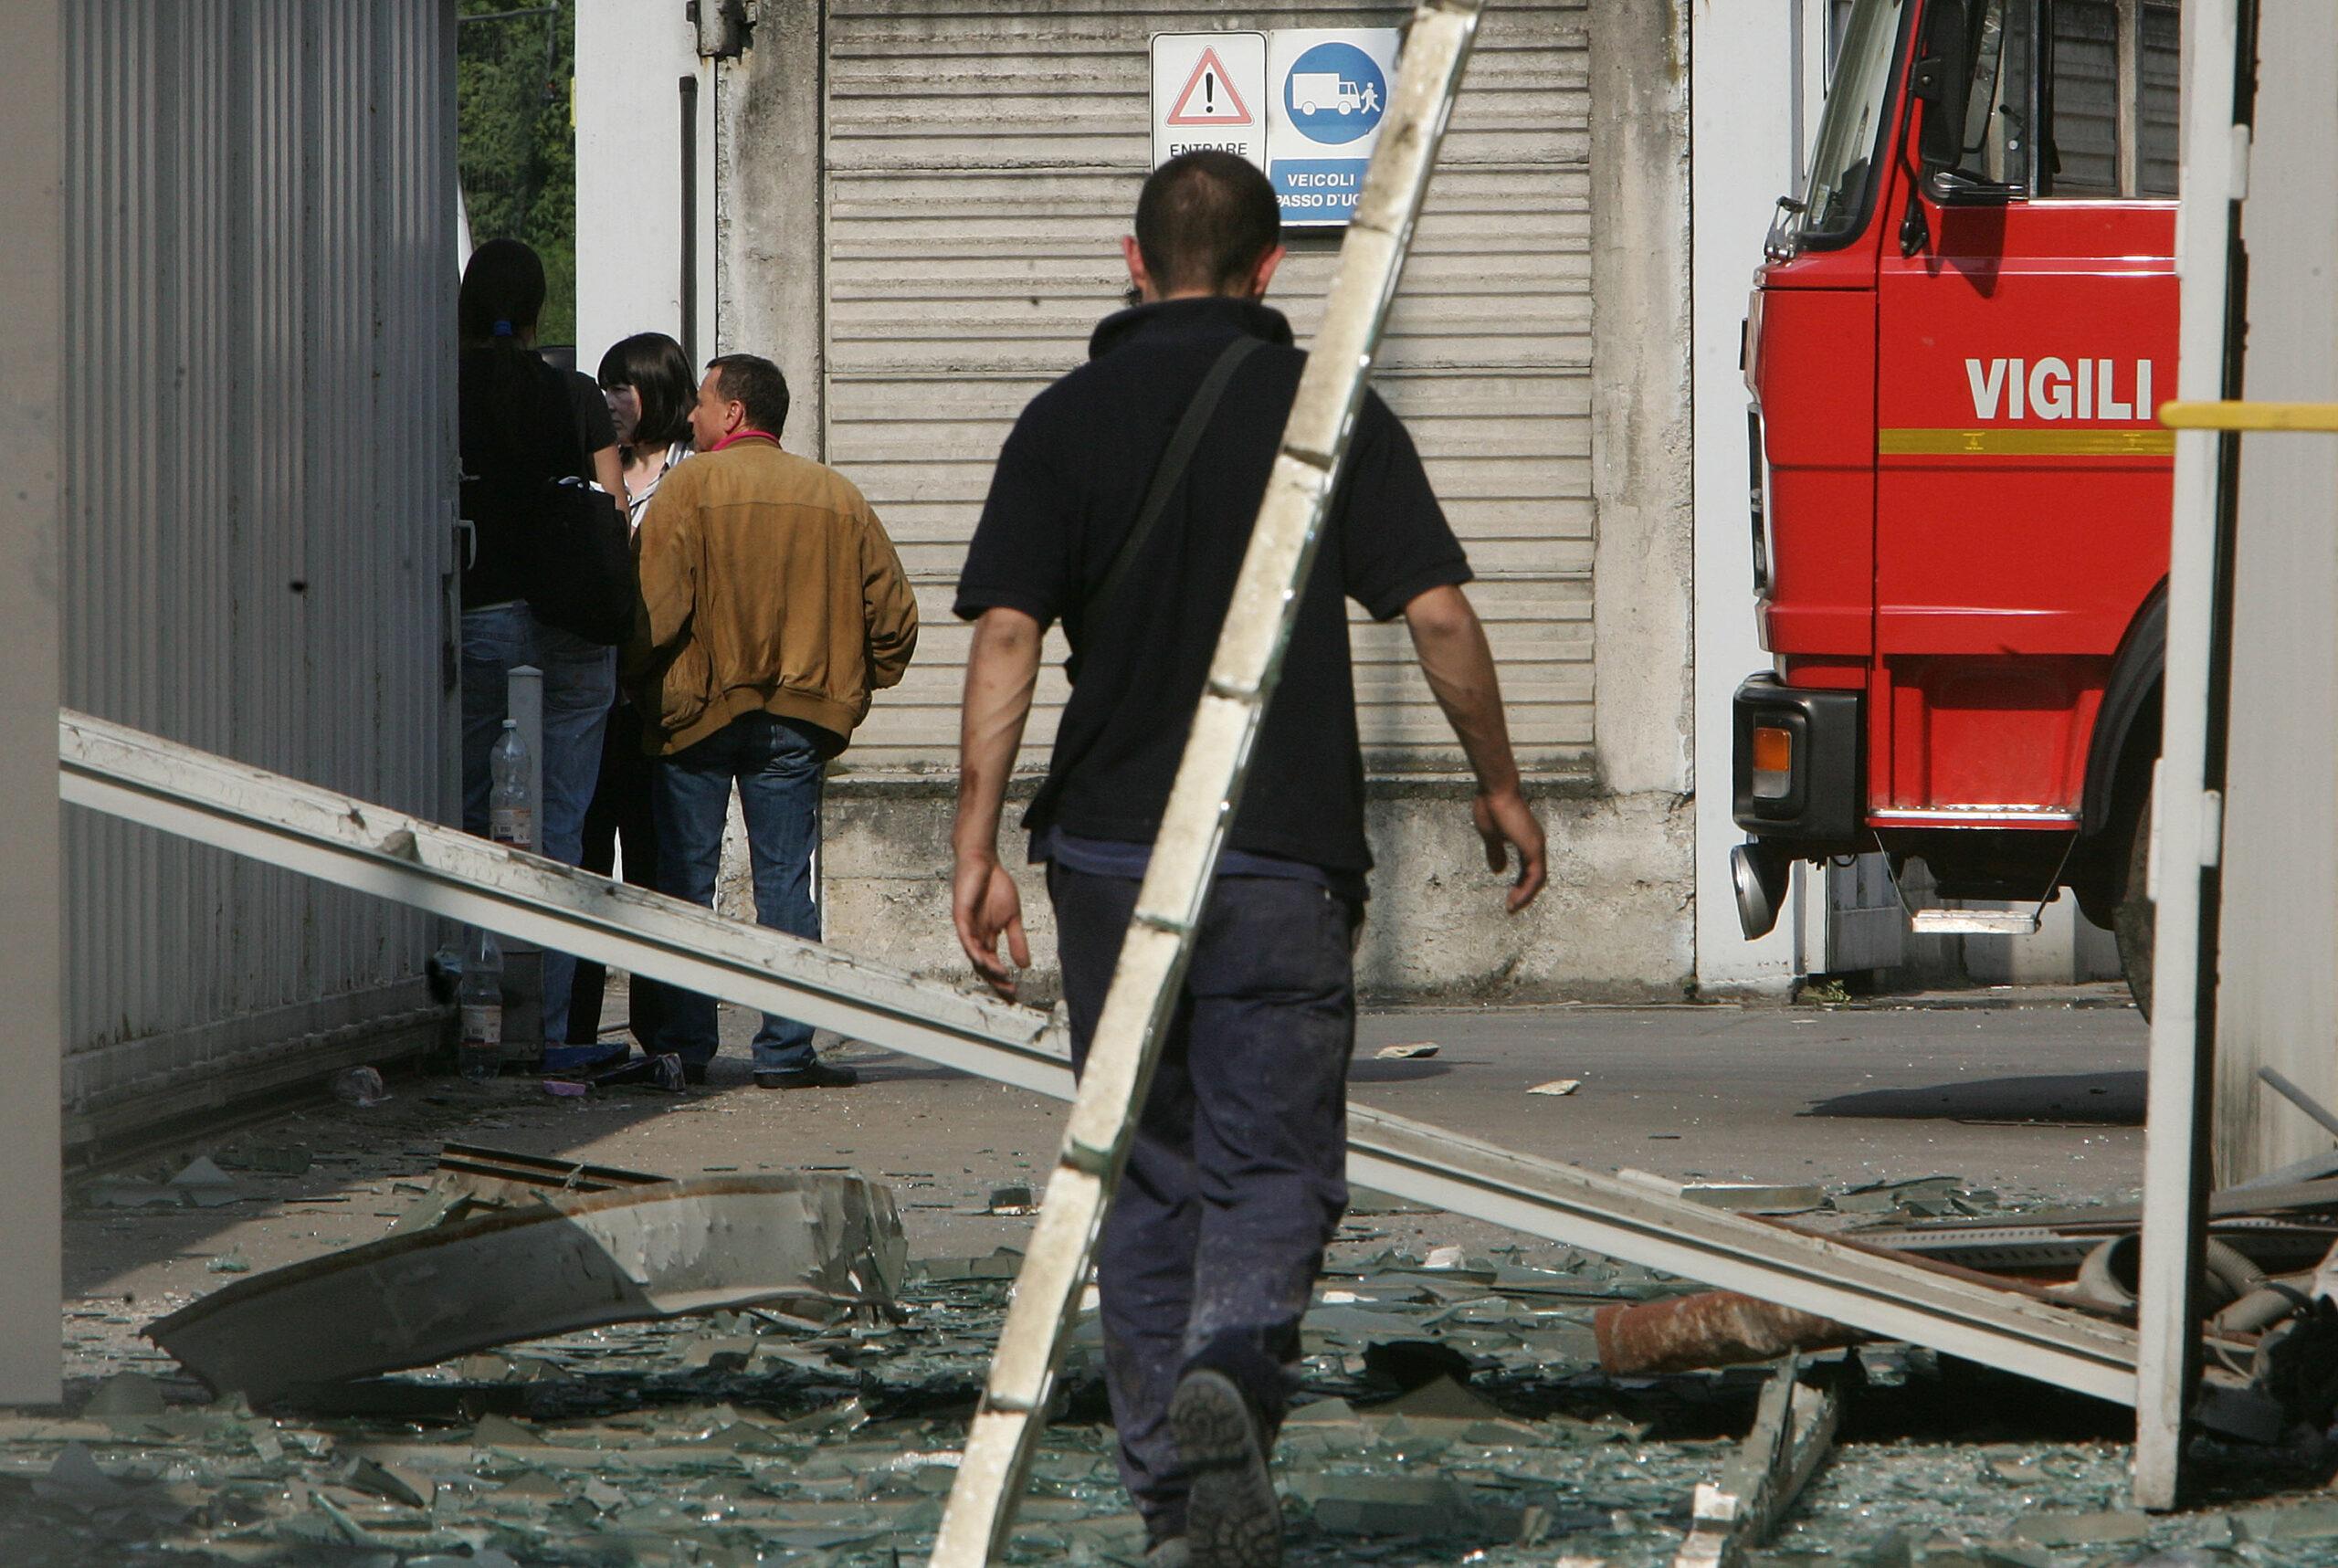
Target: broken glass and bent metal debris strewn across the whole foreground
[{"x": 745, "y": 1371}]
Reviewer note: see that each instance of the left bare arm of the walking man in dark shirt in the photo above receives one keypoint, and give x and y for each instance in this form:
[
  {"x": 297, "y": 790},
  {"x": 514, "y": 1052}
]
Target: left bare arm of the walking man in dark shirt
[{"x": 1002, "y": 674}]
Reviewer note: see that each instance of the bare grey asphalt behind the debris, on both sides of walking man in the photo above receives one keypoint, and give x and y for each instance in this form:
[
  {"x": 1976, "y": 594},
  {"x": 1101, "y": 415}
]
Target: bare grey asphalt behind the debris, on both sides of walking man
[{"x": 2019, "y": 1099}]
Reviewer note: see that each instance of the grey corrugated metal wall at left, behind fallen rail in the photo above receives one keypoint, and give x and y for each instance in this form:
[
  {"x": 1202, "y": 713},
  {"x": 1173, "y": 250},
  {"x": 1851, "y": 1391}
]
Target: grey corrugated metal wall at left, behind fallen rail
[{"x": 258, "y": 501}]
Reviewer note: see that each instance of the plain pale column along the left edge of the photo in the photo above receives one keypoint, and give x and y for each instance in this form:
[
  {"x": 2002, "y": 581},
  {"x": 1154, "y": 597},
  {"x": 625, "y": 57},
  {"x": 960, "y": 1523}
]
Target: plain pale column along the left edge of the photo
[{"x": 32, "y": 394}]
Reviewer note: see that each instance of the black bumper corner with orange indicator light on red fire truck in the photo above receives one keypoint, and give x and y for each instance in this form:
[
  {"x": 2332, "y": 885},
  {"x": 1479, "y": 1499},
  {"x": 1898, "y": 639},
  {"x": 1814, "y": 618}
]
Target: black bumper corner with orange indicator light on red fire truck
[{"x": 1797, "y": 763}]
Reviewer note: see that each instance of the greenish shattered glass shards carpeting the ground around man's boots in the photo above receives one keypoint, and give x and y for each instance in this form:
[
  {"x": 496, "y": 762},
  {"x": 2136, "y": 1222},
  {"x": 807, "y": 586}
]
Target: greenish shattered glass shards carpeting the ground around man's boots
[{"x": 1451, "y": 1415}]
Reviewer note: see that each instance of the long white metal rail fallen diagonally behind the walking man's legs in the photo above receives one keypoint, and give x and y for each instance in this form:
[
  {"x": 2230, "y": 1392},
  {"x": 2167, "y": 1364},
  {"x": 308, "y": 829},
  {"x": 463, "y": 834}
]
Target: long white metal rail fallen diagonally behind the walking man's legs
[{"x": 389, "y": 854}]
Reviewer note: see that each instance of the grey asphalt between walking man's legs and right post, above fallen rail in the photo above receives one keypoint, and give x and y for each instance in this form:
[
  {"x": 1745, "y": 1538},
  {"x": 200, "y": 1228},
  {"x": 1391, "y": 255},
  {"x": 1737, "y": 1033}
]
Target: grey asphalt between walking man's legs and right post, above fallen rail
[{"x": 2038, "y": 1099}]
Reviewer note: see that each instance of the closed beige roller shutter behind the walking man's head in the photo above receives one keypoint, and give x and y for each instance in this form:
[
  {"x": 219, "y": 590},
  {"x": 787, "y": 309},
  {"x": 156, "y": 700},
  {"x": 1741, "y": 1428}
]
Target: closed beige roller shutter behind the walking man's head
[{"x": 981, "y": 174}]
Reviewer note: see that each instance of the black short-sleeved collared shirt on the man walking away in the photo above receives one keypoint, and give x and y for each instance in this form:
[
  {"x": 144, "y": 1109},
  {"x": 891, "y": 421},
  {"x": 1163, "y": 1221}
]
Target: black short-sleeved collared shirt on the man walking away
[{"x": 1067, "y": 492}]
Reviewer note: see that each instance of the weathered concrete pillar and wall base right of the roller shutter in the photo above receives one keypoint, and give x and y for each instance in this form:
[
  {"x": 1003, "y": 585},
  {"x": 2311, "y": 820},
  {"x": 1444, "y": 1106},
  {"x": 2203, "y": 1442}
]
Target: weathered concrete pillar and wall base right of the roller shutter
[{"x": 1621, "y": 913}]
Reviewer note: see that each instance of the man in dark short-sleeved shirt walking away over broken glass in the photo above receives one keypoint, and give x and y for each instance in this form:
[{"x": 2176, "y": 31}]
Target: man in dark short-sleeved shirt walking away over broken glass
[{"x": 1236, "y": 1181}]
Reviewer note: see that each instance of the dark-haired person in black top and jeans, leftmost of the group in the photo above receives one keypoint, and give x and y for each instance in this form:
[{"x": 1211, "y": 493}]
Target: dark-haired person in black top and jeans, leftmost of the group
[{"x": 523, "y": 426}]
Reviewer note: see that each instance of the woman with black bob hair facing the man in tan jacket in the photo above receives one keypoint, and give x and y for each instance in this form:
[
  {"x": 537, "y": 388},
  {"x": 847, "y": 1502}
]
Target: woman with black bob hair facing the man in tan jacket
[{"x": 649, "y": 387}]
